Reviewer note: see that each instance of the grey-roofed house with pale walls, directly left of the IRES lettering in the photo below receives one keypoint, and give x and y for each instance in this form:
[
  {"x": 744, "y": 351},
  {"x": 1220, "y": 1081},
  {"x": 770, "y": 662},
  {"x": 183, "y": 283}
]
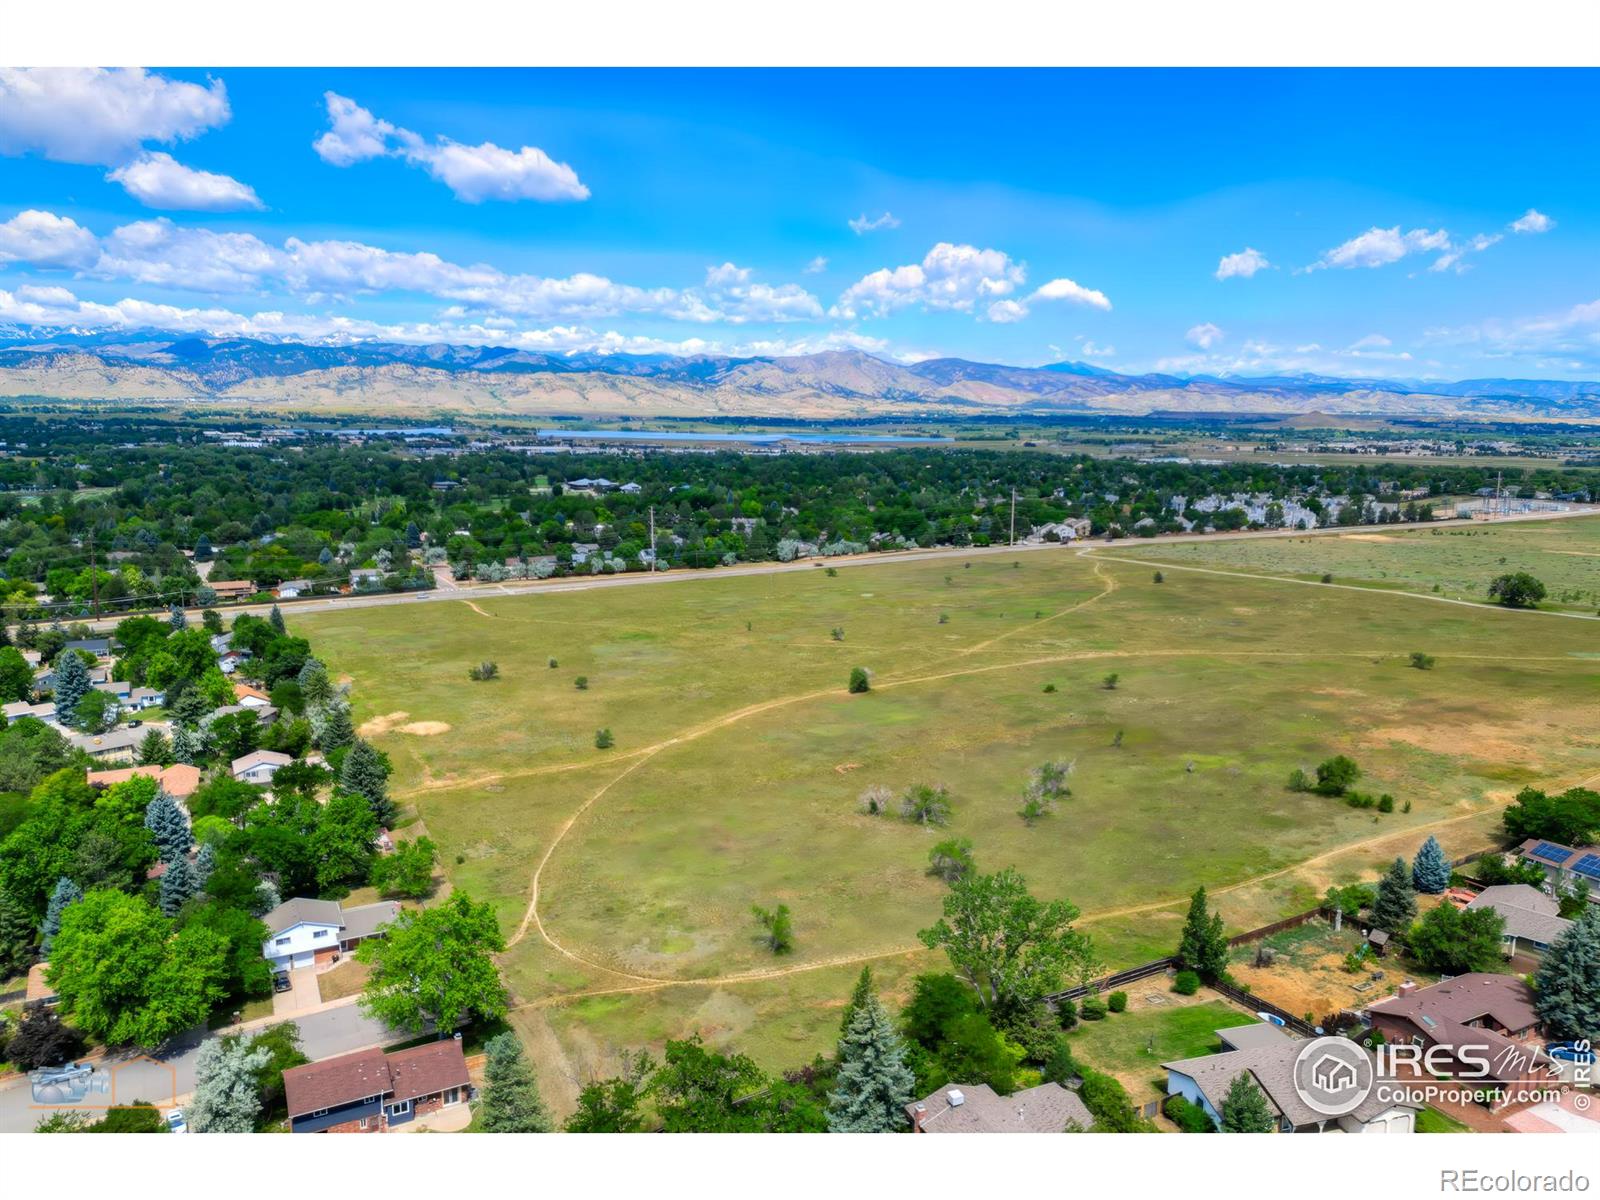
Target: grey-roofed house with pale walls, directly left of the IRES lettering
[{"x": 1270, "y": 1063}]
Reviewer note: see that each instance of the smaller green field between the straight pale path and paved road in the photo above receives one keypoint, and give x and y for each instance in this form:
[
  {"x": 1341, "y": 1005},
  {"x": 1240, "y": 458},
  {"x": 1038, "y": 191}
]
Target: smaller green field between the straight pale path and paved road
[{"x": 1454, "y": 562}]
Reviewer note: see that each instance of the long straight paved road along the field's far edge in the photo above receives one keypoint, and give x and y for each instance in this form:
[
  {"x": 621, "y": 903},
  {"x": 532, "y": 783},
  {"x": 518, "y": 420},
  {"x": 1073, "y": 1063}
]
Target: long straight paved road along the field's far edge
[{"x": 681, "y": 577}]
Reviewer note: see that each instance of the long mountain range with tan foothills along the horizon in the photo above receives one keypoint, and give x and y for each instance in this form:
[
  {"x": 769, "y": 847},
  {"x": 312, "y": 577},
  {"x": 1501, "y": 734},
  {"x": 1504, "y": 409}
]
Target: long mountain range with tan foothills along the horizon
[{"x": 402, "y": 378}]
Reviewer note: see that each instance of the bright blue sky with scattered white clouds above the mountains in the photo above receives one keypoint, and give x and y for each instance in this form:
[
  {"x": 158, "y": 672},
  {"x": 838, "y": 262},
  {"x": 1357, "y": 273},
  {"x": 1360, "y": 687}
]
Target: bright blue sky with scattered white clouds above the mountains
[{"x": 1398, "y": 223}]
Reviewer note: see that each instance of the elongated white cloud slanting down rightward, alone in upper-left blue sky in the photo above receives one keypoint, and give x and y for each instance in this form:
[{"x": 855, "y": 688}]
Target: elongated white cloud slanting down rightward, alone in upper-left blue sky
[{"x": 474, "y": 174}]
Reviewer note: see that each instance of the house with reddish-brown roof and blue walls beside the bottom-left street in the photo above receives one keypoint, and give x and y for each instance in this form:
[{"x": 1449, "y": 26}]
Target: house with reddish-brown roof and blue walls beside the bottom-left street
[{"x": 375, "y": 1092}]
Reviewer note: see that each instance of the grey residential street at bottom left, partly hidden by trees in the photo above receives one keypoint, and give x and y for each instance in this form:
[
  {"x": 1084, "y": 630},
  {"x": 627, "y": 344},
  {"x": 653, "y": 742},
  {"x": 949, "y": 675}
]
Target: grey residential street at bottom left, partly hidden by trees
[{"x": 334, "y": 1031}]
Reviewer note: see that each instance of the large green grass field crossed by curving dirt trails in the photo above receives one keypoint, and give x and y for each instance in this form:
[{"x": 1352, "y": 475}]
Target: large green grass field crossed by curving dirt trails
[{"x": 625, "y": 878}]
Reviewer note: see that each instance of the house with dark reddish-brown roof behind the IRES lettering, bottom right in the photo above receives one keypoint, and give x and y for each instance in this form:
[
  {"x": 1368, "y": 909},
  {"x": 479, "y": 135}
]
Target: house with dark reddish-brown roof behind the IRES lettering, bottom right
[{"x": 1471, "y": 1018}]
